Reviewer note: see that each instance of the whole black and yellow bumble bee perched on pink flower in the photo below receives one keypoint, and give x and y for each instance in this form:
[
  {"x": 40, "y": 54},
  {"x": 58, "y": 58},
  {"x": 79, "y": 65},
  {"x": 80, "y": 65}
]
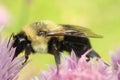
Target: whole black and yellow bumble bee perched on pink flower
[{"x": 49, "y": 37}]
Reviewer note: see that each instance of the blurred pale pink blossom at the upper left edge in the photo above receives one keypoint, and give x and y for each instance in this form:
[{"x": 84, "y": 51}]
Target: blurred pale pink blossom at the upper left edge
[{"x": 4, "y": 17}]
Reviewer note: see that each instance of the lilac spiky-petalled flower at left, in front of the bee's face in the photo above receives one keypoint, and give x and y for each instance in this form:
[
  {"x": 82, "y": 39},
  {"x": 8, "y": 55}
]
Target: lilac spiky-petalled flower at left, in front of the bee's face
[{"x": 9, "y": 68}]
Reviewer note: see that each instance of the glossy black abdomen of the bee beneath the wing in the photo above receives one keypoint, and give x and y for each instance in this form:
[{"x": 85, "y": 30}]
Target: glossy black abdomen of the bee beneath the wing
[{"x": 79, "y": 44}]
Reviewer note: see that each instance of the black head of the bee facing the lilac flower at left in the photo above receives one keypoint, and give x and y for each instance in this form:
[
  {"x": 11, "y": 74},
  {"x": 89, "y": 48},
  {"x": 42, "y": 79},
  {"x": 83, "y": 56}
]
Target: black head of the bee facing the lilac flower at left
[{"x": 20, "y": 42}]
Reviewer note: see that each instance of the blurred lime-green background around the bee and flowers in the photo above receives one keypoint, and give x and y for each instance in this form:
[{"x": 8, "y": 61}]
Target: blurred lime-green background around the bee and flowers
[{"x": 101, "y": 16}]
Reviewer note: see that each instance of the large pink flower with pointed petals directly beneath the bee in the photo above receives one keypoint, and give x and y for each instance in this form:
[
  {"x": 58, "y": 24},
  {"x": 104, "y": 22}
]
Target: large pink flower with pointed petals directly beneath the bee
[{"x": 71, "y": 69}]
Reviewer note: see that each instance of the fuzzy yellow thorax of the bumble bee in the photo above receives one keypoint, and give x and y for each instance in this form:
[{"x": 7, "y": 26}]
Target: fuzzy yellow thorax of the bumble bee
[{"x": 39, "y": 43}]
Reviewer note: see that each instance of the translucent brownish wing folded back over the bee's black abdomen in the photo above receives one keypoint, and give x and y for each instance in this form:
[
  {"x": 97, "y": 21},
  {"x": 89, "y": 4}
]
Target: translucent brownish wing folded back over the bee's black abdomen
[{"x": 72, "y": 30}]
